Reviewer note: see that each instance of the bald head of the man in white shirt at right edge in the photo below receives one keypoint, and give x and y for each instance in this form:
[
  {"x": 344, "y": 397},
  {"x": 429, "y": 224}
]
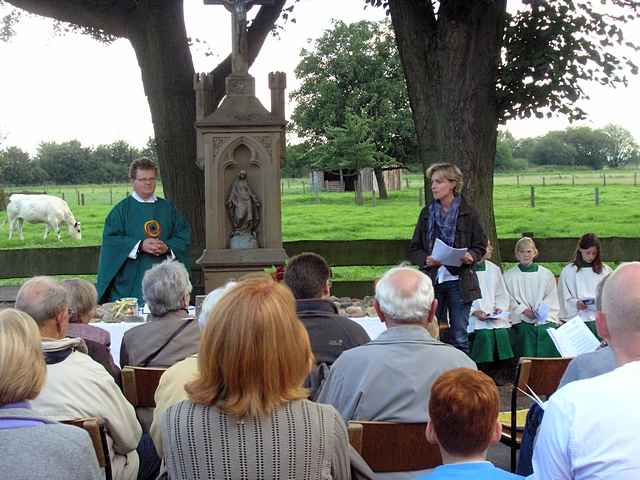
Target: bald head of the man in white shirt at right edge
[{"x": 621, "y": 301}]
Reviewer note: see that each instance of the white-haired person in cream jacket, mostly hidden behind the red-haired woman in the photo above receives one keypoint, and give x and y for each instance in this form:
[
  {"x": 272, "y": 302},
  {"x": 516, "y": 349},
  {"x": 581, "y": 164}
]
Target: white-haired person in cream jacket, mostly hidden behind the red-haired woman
[{"x": 171, "y": 387}]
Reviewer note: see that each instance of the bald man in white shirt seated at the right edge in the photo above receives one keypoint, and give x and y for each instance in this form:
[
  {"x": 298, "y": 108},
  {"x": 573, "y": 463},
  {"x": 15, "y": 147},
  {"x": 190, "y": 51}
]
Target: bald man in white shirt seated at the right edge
[{"x": 590, "y": 427}]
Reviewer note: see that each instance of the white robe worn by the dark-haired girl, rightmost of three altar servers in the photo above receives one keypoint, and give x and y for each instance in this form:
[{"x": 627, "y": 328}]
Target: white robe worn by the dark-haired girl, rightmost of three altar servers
[{"x": 575, "y": 285}]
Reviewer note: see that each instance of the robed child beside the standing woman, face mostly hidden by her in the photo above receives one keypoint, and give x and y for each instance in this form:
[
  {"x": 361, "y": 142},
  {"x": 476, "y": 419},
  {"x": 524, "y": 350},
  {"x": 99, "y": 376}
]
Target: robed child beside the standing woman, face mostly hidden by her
[{"x": 489, "y": 319}]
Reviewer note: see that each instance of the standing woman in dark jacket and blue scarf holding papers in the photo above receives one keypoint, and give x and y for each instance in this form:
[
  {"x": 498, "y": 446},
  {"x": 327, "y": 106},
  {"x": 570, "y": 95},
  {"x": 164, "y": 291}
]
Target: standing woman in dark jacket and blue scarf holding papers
[{"x": 445, "y": 226}]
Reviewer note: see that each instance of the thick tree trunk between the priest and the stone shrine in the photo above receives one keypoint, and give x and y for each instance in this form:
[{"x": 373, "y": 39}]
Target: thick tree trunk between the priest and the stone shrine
[{"x": 161, "y": 47}]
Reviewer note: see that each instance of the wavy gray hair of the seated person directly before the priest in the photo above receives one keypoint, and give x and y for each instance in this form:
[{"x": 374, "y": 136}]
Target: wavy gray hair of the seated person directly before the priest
[{"x": 164, "y": 286}]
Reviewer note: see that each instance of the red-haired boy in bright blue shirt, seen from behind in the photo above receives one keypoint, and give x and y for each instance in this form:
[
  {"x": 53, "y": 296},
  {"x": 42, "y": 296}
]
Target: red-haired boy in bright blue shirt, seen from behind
[{"x": 463, "y": 412}]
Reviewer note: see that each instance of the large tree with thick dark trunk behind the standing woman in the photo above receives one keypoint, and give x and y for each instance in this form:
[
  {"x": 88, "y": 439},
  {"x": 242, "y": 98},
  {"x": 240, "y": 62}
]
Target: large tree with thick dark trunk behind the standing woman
[{"x": 470, "y": 65}]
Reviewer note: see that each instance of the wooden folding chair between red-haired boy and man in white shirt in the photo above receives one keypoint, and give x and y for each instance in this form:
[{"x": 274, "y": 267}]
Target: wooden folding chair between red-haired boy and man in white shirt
[{"x": 542, "y": 375}]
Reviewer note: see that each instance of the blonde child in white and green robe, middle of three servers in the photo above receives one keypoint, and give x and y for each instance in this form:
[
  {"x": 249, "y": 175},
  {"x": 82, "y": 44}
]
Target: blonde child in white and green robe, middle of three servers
[{"x": 534, "y": 303}]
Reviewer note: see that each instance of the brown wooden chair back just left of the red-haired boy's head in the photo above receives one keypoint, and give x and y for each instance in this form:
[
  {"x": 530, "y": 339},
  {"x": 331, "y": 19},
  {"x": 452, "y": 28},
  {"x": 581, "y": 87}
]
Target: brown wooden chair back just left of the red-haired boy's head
[{"x": 393, "y": 447}]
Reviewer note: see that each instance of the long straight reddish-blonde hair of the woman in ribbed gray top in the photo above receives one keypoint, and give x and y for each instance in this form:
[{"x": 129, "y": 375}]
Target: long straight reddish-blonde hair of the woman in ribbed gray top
[{"x": 254, "y": 352}]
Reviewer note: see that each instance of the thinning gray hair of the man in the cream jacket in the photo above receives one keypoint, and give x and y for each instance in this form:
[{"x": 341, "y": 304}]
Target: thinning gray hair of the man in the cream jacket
[{"x": 42, "y": 298}]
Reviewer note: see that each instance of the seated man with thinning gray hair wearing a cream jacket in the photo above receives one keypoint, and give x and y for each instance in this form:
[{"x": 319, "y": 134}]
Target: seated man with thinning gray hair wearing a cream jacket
[{"x": 76, "y": 386}]
